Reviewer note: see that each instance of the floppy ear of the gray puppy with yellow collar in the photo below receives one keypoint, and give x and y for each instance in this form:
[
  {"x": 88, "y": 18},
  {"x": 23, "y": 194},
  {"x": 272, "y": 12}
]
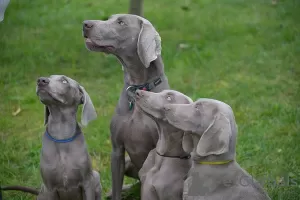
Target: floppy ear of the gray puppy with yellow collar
[{"x": 215, "y": 139}]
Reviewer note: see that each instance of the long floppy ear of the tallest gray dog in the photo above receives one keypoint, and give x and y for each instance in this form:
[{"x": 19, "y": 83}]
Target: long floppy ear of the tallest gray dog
[{"x": 149, "y": 43}]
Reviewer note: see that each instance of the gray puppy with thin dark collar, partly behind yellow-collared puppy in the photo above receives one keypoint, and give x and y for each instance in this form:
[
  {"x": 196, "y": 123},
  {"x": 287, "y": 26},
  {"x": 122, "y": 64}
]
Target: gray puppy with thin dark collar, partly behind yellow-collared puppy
[{"x": 166, "y": 167}]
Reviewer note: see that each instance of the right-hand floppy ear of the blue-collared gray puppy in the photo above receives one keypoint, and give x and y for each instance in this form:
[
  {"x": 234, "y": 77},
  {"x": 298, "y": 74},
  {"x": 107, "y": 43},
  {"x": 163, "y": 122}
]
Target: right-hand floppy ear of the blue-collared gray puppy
[{"x": 88, "y": 111}]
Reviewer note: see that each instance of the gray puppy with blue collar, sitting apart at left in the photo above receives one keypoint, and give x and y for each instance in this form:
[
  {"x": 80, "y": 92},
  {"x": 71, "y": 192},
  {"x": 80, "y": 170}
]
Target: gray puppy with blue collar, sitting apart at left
[{"x": 65, "y": 163}]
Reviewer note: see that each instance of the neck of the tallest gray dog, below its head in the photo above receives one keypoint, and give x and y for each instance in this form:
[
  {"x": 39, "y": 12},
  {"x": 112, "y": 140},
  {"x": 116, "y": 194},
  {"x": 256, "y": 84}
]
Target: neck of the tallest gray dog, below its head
[{"x": 135, "y": 73}]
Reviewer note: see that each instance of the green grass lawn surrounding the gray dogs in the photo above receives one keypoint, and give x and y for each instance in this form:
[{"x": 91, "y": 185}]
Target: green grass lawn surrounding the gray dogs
[{"x": 245, "y": 53}]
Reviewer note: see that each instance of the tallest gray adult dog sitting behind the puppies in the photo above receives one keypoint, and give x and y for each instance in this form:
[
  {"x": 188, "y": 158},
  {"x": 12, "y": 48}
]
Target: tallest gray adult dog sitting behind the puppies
[{"x": 137, "y": 45}]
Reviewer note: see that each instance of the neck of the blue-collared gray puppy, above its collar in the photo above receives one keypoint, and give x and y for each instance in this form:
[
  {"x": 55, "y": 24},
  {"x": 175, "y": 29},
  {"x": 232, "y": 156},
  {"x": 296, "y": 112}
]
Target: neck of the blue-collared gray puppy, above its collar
[{"x": 62, "y": 122}]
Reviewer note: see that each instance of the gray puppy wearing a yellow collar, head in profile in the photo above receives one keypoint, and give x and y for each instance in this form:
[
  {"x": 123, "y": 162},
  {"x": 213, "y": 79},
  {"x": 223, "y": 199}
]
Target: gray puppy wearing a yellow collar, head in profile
[{"x": 215, "y": 175}]
